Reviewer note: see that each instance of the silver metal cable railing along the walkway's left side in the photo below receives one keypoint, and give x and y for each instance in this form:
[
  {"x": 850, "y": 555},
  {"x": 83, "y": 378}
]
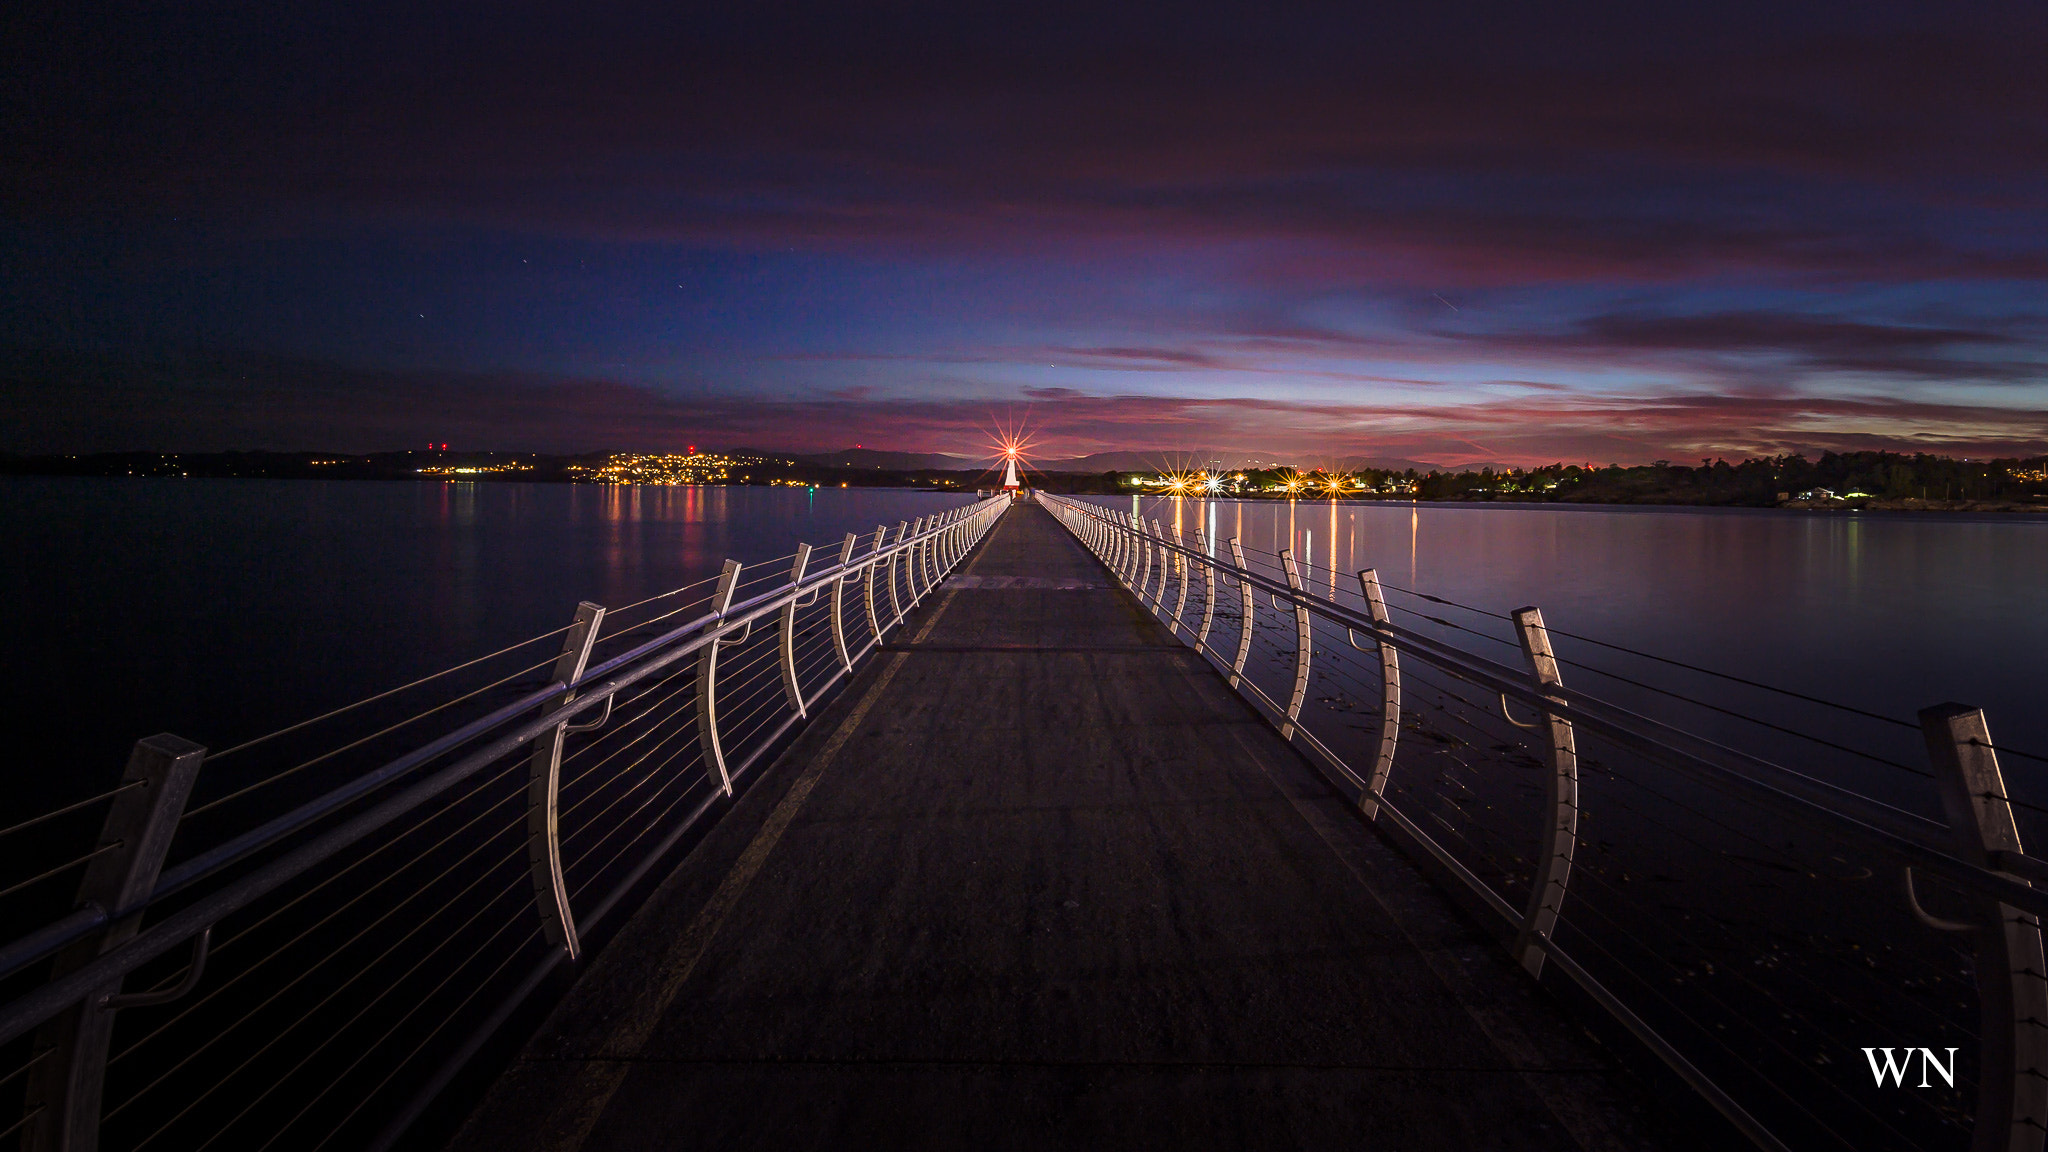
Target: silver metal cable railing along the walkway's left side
[{"x": 321, "y": 977}]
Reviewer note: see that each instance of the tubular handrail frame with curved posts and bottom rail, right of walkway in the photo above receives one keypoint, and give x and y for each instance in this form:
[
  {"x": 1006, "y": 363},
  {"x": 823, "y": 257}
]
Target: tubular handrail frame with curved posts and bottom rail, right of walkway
[{"x": 1990, "y": 864}]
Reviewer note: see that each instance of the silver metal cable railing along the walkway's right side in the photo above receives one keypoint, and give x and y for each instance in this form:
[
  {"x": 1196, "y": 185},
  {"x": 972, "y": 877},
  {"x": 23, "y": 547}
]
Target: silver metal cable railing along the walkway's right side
[{"x": 1756, "y": 928}]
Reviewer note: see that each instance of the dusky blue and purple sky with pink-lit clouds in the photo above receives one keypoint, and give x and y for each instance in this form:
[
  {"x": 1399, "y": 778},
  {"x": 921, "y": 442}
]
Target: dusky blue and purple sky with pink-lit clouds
[{"x": 1441, "y": 233}]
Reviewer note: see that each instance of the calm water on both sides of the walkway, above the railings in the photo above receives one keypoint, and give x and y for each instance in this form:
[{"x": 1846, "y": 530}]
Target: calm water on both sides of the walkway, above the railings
[{"x": 220, "y": 610}]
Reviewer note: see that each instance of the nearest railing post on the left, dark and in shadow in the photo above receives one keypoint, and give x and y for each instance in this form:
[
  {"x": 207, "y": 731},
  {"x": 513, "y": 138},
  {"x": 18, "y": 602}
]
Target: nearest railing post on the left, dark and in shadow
[{"x": 62, "y": 1106}]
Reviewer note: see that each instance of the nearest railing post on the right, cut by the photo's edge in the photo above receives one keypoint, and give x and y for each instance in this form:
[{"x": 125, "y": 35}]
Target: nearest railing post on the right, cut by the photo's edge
[{"x": 2012, "y": 991}]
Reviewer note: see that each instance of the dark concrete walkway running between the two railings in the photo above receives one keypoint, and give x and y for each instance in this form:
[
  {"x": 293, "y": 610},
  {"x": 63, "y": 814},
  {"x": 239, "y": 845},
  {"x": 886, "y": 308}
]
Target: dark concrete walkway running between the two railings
[{"x": 1041, "y": 880}]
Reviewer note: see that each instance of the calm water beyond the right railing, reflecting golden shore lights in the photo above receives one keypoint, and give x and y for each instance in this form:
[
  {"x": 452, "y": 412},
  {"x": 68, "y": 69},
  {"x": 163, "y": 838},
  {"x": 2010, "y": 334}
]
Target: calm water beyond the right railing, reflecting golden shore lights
[{"x": 1883, "y": 612}]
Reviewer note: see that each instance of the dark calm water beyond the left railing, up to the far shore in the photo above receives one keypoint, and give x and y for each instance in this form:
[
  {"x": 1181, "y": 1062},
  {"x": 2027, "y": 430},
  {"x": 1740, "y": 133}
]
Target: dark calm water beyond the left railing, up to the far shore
[{"x": 222, "y": 610}]
